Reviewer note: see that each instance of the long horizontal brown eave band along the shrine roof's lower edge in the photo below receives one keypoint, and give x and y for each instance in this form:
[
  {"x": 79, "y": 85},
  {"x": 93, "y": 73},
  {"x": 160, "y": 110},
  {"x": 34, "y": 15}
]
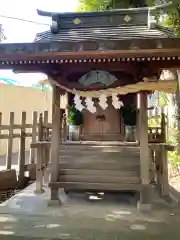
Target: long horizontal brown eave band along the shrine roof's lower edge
[{"x": 140, "y": 48}]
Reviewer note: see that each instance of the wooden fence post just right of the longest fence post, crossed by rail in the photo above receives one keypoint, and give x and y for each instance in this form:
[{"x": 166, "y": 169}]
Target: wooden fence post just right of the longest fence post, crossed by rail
[{"x": 34, "y": 135}]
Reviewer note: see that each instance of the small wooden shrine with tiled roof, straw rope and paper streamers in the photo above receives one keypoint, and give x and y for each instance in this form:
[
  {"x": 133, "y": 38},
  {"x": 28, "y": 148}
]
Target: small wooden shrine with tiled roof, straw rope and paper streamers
[{"x": 115, "y": 54}]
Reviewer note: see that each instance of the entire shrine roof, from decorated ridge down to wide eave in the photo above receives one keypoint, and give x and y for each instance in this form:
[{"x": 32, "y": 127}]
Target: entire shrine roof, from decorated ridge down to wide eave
[{"x": 118, "y": 35}]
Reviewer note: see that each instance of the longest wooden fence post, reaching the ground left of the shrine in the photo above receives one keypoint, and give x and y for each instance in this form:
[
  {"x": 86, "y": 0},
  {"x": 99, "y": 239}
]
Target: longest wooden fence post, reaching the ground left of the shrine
[{"x": 21, "y": 162}]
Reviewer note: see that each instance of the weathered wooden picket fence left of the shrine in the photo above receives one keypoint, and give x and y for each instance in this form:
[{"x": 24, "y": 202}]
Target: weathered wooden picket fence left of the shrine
[{"x": 39, "y": 129}]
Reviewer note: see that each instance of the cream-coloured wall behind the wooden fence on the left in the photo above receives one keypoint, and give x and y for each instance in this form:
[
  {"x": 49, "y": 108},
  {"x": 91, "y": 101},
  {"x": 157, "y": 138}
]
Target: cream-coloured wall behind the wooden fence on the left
[{"x": 17, "y": 99}]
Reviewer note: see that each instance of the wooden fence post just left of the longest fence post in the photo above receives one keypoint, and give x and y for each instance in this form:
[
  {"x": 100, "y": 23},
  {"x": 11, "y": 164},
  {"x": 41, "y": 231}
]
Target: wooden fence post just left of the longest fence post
[{"x": 10, "y": 142}]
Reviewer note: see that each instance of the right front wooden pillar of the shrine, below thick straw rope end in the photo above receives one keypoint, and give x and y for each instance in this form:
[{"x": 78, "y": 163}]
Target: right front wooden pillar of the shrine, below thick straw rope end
[{"x": 145, "y": 194}]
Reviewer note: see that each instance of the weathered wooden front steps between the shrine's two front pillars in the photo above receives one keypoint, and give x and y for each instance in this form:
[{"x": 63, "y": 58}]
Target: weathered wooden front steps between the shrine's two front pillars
[{"x": 93, "y": 166}]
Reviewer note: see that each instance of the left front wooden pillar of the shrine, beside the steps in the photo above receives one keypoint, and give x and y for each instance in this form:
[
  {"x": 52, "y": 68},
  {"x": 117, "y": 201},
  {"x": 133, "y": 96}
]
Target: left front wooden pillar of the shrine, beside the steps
[{"x": 55, "y": 147}]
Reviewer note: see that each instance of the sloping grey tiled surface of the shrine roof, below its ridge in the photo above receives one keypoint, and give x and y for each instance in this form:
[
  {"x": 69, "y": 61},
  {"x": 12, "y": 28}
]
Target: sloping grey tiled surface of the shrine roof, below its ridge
[{"x": 105, "y": 33}]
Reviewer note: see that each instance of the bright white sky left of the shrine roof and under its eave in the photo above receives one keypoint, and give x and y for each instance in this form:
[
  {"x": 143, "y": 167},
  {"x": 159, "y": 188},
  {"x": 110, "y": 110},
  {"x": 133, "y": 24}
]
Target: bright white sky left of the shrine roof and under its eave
[{"x": 18, "y": 31}]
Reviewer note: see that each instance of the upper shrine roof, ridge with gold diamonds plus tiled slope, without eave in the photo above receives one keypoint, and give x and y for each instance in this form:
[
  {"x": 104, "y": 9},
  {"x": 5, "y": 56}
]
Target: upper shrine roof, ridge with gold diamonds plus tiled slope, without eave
[{"x": 123, "y": 24}]
